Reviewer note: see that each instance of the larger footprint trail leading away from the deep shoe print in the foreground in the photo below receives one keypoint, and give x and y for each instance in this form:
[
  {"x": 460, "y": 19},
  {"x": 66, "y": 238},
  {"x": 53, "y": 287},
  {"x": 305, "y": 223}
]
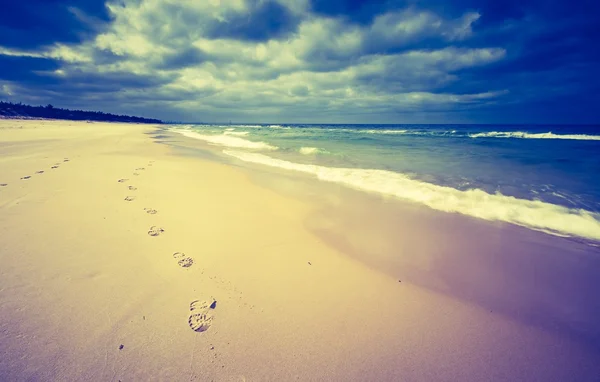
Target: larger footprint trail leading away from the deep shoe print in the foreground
[{"x": 200, "y": 311}]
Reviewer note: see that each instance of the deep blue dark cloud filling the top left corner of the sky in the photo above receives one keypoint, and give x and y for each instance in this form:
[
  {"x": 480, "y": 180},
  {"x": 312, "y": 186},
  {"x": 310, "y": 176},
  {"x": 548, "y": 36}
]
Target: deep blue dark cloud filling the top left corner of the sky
[{"x": 33, "y": 23}]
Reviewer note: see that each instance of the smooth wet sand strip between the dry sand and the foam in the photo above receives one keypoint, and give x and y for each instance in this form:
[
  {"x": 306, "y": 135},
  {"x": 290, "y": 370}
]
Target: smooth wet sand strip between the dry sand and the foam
[{"x": 491, "y": 265}]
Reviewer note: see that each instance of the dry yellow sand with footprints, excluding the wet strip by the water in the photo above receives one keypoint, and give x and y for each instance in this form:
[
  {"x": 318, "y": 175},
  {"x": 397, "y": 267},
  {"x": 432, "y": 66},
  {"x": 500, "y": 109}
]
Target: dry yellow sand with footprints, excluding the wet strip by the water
[{"x": 86, "y": 293}]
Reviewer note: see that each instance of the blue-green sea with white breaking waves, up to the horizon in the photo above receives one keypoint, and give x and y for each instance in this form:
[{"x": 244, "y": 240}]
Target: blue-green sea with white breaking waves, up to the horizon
[{"x": 540, "y": 177}]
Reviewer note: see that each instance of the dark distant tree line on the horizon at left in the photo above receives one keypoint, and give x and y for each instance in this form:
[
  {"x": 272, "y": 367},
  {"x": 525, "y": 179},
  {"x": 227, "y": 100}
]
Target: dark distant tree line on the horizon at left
[{"x": 18, "y": 110}]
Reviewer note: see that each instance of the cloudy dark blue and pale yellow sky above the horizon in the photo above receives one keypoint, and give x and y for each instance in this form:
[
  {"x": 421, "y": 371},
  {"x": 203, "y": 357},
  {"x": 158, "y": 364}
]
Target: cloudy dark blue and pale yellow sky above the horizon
[{"x": 307, "y": 61}]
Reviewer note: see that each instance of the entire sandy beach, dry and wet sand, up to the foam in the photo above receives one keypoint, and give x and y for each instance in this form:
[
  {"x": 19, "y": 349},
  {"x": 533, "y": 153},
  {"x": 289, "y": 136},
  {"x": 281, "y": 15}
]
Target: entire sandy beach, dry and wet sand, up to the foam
[{"x": 128, "y": 255}]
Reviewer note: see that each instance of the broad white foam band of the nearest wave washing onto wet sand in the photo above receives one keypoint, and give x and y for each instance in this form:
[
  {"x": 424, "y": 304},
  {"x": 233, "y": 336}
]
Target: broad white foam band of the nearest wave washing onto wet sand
[{"x": 533, "y": 214}]
